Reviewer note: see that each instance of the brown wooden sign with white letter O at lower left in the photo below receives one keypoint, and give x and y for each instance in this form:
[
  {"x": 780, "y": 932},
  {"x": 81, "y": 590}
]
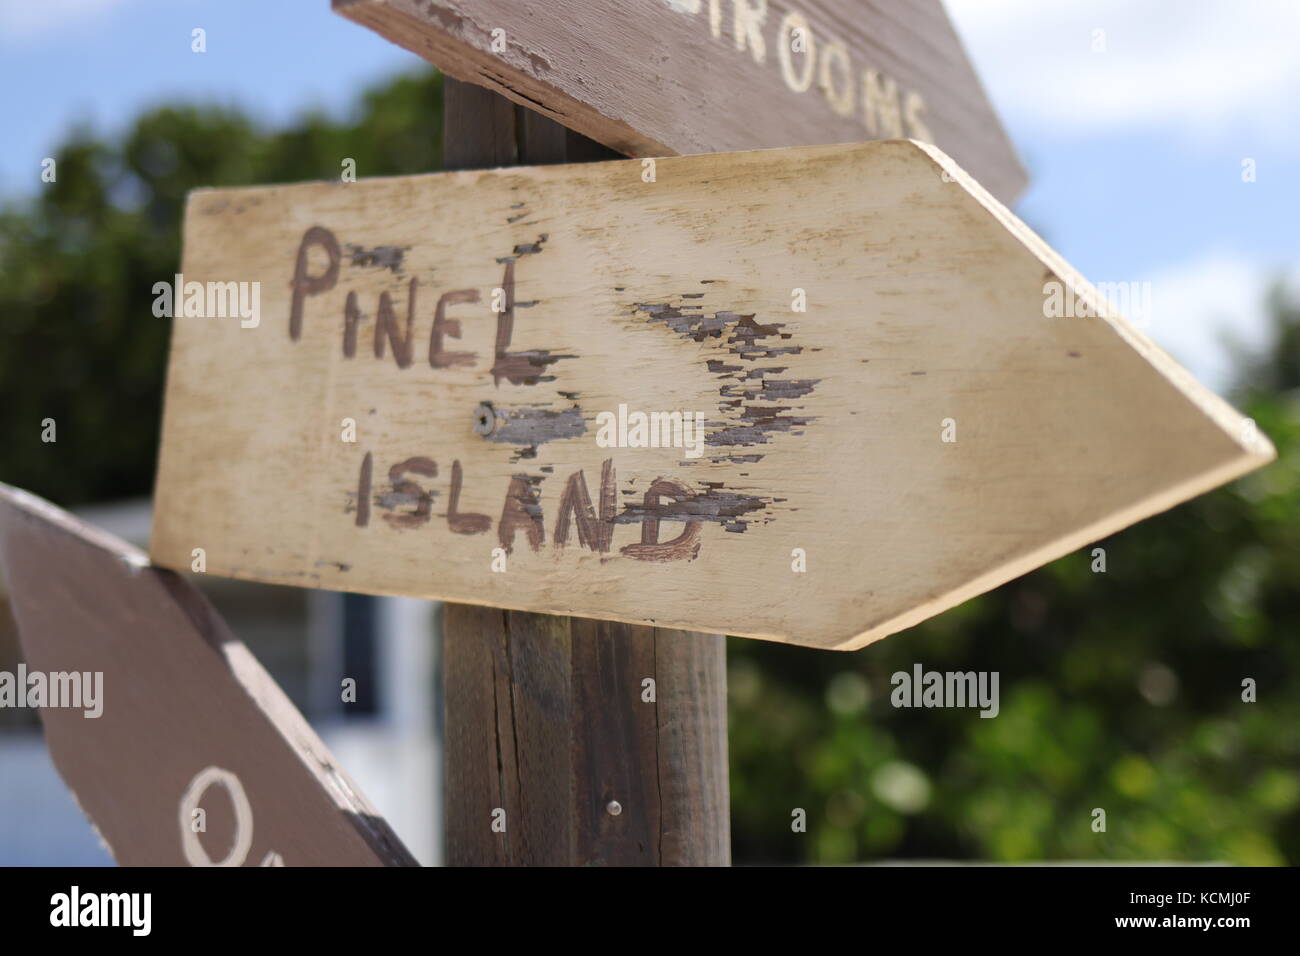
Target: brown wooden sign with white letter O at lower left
[{"x": 176, "y": 743}]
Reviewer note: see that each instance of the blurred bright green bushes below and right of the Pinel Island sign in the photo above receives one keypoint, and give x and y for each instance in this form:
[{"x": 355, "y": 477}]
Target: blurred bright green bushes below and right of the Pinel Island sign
[{"x": 1120, "y": 691}]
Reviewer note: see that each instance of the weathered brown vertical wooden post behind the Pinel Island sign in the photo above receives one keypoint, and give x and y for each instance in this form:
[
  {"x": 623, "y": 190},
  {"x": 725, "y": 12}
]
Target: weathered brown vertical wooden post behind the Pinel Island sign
[{"x": 547, "y": 717}]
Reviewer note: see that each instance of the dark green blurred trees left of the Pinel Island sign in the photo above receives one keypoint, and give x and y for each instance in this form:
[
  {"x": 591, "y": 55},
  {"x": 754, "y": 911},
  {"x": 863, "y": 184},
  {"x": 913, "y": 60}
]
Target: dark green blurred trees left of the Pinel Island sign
[{"x": 79, "y": 340}]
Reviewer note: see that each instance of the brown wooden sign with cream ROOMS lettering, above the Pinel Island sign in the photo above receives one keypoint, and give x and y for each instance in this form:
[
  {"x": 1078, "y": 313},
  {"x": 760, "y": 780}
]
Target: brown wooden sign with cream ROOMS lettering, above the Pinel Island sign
[{"x": 664, "y": 77}]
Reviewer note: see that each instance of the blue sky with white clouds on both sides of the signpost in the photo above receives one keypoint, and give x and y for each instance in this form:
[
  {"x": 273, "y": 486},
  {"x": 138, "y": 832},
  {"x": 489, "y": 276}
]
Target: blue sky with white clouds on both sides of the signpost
[{"x": 1134, "y": 150}]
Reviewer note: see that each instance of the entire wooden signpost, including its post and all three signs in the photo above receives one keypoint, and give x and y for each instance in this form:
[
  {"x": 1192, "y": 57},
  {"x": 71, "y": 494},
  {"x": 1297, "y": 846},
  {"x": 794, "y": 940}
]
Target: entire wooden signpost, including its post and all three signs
[{"x": 807, "y": 395}]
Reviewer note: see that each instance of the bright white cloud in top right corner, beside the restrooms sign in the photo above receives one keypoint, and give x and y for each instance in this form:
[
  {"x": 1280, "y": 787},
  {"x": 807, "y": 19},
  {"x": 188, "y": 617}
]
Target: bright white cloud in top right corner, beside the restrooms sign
[{"x": 1204, "y": 68}]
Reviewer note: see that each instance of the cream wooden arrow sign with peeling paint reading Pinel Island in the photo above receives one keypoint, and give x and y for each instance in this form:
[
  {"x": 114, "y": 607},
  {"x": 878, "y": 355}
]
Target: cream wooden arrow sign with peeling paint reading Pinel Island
[{"x": 807, "y": 395}]
